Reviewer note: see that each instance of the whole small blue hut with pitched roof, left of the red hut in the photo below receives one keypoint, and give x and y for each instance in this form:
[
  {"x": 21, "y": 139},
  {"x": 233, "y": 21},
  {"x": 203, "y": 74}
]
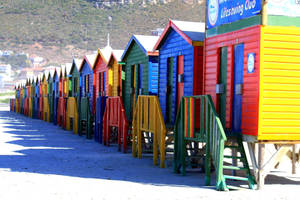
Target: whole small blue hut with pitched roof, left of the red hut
[{"x": 86, "y": 77}]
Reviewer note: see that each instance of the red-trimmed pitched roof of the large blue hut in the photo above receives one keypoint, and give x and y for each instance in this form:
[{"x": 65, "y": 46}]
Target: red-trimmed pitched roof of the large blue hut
[{"x": 192, "y": 32}]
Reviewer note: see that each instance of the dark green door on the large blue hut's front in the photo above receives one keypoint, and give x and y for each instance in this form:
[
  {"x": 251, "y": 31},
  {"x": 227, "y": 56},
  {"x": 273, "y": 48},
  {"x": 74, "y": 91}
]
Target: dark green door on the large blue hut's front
[{"x": 169, "y": 93}]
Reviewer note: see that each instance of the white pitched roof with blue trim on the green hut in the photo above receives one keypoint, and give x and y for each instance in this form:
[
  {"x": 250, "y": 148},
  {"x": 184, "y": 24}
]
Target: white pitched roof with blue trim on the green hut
[{"x": 146, "y": 43}]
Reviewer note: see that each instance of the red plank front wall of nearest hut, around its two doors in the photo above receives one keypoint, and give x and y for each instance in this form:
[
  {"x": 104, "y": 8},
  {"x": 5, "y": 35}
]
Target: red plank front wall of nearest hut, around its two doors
[{"x": 251, "y": 39}]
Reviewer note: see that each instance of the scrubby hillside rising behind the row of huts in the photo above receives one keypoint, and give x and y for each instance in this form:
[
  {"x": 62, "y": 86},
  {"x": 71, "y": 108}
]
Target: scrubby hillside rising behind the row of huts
[{"x": 76, "y": 23}]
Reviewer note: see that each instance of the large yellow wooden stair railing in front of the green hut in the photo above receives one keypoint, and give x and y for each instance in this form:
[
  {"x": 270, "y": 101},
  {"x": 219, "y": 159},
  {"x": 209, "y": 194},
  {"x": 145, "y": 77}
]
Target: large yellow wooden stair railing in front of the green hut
[{"x": 148, "y": 117}]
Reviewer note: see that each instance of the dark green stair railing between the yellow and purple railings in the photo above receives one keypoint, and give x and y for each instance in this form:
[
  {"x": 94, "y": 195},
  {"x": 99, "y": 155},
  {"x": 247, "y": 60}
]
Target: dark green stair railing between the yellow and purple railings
[{"x": 85, "y": 122}]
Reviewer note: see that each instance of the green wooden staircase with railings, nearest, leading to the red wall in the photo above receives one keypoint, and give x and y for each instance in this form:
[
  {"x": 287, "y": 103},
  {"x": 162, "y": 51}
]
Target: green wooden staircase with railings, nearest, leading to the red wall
[{"x": 197, "y": 123}]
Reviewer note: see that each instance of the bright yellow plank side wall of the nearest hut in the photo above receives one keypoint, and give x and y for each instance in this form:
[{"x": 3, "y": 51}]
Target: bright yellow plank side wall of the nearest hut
[{"x": 279, "y": 101}]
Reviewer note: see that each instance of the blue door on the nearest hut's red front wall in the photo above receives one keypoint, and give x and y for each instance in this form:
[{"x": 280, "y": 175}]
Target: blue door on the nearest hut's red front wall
[{"x": 237, "y": 88}]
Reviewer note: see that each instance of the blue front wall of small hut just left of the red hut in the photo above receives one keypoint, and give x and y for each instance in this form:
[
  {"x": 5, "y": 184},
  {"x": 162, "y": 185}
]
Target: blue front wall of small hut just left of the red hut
[{"x": 86, "y": 69}]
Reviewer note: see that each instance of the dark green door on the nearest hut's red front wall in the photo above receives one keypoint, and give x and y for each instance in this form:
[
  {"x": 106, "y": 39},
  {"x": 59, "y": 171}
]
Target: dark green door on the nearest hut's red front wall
[{"x": 221, "y": 86}]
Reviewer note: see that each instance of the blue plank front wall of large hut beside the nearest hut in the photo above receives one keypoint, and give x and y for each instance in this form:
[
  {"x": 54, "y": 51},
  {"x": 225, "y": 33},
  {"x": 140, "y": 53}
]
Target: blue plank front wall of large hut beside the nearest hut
[{"x": 173, "y": 46}]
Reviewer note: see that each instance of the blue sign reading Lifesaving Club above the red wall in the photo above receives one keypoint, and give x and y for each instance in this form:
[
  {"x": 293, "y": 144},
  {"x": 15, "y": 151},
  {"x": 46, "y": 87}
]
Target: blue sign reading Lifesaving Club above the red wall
[{"x": 226, "y": 11}]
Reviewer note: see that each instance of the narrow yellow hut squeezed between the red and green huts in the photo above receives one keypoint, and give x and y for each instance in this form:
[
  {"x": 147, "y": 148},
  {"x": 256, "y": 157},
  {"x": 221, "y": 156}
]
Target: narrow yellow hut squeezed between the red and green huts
[{"x": 115, "y": 73}]
